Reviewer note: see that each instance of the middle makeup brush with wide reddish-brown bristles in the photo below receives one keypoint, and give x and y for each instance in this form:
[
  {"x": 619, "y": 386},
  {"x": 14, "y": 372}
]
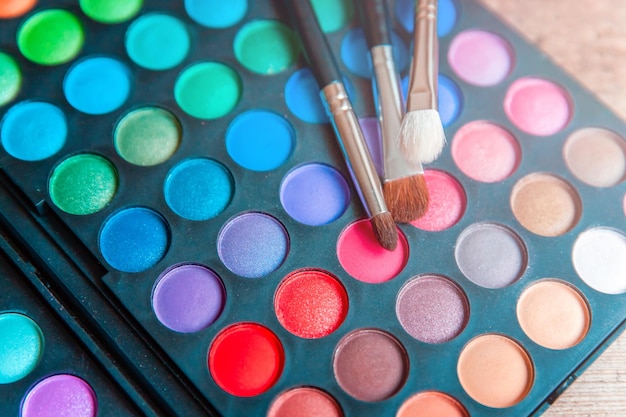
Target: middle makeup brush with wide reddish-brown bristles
[{"x": 404, "y": 187}]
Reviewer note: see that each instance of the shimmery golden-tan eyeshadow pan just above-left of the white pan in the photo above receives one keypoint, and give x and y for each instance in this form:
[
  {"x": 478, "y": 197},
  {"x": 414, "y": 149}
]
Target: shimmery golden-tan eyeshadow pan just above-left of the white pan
[{"x": 545, "y": 204}]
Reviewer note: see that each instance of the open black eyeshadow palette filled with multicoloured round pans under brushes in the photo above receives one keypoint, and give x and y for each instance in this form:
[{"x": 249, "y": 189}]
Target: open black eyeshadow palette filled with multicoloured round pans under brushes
[{"x": 169, "y": 173}]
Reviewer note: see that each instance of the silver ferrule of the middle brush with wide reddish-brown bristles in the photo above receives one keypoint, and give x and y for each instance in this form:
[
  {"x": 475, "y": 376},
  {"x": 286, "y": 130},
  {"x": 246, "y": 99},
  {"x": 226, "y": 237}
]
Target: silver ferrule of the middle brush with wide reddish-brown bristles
[{"x": 390, "y": 113}]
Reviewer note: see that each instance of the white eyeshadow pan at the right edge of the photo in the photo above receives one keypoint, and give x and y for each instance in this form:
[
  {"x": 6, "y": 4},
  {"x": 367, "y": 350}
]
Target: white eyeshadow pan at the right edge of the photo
[{"x": 599, "y": 257}]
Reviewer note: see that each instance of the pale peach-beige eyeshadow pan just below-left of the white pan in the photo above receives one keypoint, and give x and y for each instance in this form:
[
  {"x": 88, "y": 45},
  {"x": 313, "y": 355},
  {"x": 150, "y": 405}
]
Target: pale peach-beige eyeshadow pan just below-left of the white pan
[{"x": 553, "y": 314}]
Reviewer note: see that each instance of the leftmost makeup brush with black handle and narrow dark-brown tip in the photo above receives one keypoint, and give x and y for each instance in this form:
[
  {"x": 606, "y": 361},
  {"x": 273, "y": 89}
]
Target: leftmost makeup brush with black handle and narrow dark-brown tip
[{"x": 345, "y": 123}]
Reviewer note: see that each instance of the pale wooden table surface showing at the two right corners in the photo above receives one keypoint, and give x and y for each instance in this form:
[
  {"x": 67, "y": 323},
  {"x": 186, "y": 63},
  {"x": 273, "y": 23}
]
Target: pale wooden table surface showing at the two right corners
[{"x": 587, "y": 38}]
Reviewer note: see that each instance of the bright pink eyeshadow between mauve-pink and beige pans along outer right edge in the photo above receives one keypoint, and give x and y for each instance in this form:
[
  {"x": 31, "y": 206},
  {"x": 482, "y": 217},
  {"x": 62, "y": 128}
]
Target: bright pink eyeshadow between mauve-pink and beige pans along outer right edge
[{"x": 537, "y": 106}]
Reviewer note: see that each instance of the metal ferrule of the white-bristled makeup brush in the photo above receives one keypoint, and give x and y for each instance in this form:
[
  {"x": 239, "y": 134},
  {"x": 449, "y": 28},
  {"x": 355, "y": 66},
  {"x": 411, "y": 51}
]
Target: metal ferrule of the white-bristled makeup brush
[{"x": 422, "y": 93}]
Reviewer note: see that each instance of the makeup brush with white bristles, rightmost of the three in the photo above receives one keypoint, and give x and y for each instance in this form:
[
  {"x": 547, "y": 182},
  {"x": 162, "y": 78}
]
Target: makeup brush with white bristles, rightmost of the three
[{"x": 421, "y": 136}]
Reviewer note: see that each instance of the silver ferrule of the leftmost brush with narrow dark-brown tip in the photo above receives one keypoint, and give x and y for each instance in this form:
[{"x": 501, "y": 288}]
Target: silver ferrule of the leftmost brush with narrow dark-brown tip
[{"x": 355, "y": 150}]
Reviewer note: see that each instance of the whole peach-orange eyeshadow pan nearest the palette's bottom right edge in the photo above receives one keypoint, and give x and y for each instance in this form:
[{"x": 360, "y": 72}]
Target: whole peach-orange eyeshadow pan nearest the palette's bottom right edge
[{"x": 495, "y": 370}]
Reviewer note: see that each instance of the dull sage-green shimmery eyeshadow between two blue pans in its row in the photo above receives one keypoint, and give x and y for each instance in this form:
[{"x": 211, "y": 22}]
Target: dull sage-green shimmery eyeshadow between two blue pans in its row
[{"x": 147, "y": 136}]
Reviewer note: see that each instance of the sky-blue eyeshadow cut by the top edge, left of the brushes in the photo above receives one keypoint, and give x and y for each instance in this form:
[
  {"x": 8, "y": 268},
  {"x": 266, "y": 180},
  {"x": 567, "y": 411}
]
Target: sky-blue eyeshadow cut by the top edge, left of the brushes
[{"x": 216, "y": 14}]
